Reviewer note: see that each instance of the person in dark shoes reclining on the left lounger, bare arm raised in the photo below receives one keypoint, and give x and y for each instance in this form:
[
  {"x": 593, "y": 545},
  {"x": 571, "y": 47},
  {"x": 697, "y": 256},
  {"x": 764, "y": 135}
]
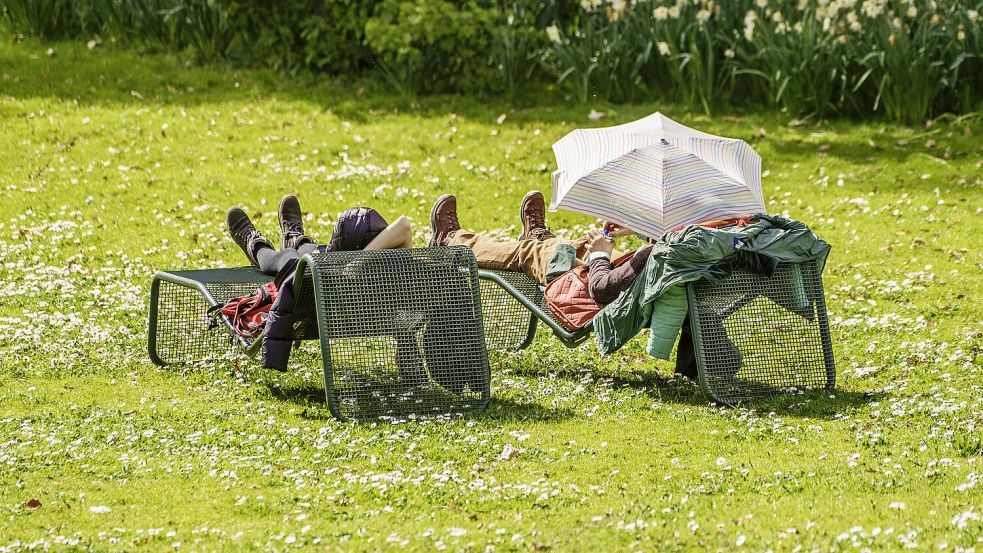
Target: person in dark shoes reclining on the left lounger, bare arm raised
[{"x": 358, "y": 228}]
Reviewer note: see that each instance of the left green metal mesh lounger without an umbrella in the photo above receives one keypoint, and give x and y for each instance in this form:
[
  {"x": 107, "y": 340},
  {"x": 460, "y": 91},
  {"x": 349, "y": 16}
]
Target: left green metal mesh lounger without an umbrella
[{"x": 400, "y": 330}]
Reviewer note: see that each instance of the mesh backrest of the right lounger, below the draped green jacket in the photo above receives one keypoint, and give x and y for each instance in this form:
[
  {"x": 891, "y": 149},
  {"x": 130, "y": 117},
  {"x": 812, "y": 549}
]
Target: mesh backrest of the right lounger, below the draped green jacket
[{"x": 757, "y": 335}]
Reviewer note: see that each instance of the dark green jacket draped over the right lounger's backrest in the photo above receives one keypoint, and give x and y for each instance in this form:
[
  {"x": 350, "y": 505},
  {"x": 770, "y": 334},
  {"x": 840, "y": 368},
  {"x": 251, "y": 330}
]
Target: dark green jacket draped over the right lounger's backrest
[{"x": 657, "y": 298}]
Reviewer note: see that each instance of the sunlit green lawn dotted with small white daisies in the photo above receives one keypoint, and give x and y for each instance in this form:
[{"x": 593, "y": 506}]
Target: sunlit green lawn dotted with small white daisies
[{"x": 114, "y": 166}]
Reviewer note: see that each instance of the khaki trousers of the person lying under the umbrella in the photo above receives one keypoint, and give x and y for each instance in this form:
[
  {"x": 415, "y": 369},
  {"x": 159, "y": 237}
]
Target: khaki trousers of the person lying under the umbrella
[{"x": 529, "y": 256}]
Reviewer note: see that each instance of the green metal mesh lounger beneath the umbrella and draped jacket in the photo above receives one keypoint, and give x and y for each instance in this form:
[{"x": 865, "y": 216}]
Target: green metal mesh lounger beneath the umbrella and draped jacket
[{"x": 754, "y": 335}]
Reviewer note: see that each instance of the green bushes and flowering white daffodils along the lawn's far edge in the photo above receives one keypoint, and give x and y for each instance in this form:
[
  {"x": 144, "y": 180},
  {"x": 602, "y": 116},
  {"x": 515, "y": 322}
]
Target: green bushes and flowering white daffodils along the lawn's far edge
[{"x": 905, "y": 60}]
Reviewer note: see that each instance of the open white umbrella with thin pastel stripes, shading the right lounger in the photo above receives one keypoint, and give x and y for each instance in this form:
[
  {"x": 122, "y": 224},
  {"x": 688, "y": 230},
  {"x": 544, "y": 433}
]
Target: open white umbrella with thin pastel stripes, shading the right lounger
[{"x": 655, "y": 174}]
